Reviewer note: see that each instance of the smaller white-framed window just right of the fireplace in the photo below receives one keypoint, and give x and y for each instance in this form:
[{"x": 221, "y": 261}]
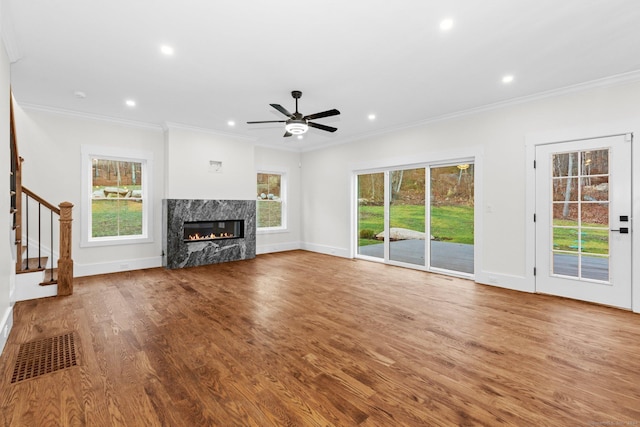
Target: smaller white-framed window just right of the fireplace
[{"x": 270, "y": 209}]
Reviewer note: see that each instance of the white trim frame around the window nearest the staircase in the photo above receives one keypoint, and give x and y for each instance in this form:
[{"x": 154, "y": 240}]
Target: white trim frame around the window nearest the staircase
[{"x": 146, "y": 158}]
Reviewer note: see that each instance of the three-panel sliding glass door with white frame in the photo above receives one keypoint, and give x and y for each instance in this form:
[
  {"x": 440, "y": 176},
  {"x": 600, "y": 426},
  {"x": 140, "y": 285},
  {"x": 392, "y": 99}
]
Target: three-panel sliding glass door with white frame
[{"x": 418, "y": 217}]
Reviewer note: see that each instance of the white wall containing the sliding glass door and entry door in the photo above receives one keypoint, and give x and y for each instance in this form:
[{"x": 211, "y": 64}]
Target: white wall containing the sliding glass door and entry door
[{"x": 499, "y": 134}]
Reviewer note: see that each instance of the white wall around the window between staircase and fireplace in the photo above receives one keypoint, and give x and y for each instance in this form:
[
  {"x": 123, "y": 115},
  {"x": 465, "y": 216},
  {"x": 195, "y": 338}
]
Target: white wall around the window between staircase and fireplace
[{"x": 51, "y": 146}]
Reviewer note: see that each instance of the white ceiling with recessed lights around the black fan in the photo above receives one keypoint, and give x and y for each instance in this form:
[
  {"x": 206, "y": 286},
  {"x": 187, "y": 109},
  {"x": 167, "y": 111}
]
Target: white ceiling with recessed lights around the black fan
[{"x": 234, "y": 58}]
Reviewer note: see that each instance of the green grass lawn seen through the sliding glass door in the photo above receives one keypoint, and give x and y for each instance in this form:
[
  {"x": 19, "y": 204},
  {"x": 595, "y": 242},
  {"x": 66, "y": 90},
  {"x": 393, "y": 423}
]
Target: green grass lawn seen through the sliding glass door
[{"x": 449, "y": 223}]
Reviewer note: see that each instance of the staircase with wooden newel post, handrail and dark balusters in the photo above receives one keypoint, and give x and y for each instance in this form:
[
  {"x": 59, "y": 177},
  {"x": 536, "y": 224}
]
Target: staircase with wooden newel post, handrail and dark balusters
[{"x": 41, "y": 270}]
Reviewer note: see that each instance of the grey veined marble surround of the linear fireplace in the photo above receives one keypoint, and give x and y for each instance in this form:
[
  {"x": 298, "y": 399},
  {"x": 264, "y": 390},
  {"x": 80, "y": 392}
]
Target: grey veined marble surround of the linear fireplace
[{"x": 178, "y": 254}]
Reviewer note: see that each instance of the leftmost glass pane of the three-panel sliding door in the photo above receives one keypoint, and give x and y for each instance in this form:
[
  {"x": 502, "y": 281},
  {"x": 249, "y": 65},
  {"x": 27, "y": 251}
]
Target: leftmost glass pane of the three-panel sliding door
[{"x": 371, "y": 214}]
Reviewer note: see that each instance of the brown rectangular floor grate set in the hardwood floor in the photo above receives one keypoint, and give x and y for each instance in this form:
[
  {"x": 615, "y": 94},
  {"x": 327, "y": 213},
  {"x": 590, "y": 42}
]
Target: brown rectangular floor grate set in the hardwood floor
[{"x": 44, "y": 356}]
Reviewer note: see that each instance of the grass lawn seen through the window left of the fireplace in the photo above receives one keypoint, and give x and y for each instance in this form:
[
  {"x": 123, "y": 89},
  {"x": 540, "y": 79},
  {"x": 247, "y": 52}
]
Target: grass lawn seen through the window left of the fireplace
[{"x": 116, "y": 217}]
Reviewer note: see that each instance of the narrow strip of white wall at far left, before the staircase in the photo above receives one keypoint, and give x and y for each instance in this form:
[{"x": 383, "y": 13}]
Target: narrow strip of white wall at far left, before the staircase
[{"x": 7, "y": 260}]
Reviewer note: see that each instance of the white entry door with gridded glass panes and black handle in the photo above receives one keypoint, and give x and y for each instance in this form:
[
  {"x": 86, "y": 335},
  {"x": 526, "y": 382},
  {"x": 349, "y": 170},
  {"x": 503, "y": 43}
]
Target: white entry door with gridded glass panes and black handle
[{"x": 583, "y": 224}]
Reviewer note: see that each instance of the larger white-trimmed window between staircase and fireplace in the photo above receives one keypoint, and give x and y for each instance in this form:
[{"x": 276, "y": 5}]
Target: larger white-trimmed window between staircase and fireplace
[{"x": 116, "y": 205}]
